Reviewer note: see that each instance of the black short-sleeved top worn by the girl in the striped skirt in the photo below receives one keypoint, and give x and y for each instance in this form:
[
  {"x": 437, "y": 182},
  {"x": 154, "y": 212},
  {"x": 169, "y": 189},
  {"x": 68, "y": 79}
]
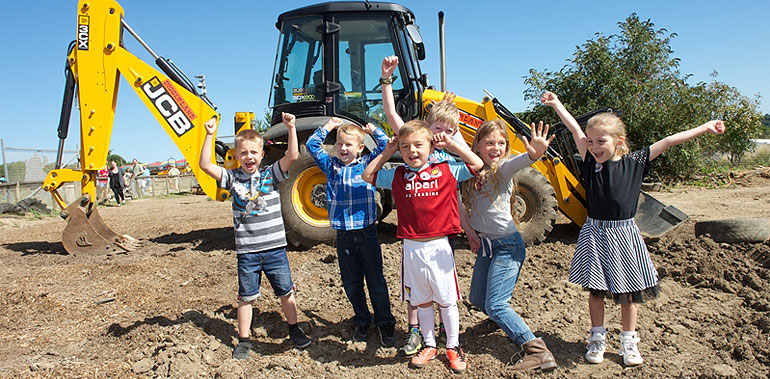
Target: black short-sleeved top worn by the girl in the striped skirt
[{"x": 612, "y": 187}]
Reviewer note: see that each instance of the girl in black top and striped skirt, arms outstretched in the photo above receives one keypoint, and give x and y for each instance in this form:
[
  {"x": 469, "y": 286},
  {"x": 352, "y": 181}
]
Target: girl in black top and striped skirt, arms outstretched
[{"x": 611, "y": 257}]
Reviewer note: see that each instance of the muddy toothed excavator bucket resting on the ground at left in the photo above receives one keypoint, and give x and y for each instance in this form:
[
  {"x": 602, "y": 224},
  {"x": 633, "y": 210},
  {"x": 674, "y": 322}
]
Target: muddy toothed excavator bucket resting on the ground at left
[{"x": 87, "y": 234}]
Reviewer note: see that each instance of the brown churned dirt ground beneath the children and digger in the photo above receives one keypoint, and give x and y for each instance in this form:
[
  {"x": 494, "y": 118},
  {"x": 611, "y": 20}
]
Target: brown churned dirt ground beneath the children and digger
[{"x": 168, "y": 309}]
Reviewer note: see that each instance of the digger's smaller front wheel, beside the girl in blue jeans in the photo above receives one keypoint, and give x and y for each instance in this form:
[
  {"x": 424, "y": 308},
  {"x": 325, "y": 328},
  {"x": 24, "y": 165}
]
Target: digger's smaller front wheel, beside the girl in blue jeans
[{"x": 534, "y": 203}]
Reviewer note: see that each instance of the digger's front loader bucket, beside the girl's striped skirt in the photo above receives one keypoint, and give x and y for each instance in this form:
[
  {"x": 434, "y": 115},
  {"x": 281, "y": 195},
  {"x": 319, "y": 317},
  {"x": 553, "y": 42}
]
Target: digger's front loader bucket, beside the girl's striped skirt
[{"x": 655, "y": 218}]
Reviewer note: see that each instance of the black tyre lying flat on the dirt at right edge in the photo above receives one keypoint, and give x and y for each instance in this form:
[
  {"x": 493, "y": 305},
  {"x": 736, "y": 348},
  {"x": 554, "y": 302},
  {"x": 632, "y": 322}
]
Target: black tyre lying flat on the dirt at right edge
[{"x": 733, "y": 230}]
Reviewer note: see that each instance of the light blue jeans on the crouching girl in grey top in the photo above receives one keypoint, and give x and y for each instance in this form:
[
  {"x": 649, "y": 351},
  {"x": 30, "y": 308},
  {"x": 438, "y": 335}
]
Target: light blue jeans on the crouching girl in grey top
[{"x": 494, "y": 277}]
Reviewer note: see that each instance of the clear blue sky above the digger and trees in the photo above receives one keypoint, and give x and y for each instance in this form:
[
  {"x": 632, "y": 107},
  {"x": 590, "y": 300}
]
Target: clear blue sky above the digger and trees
[{"x": 490, "y": 45}]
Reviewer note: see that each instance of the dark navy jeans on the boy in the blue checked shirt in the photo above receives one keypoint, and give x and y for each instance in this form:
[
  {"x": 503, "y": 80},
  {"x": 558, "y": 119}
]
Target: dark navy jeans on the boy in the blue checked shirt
[{"x": 360, "y": 257}]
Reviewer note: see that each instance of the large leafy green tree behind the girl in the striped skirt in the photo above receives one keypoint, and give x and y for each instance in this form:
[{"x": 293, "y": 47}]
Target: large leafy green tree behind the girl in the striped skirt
[{"x": 635, "y": 71}]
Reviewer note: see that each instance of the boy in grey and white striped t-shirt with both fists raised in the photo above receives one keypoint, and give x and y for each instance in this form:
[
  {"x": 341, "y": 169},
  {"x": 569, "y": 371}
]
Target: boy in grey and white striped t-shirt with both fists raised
[{"x": 260, "y": 239}]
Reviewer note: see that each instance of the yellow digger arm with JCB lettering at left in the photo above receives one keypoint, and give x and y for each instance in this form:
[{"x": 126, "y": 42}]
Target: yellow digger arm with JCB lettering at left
[{"x": 96, "y": 62}]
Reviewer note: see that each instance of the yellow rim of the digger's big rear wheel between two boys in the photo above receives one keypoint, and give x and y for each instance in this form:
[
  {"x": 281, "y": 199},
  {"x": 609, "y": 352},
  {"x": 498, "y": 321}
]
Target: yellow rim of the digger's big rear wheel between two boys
[{"x": 309, "y": 197}]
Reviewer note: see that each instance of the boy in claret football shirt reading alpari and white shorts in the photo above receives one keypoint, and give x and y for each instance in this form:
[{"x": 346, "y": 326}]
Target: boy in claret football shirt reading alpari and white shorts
[{"x": 426, "y": 199}]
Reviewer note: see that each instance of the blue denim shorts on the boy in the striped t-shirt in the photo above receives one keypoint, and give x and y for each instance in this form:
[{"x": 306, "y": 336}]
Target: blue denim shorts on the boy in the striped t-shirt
[{"x": 275, "y": 265}]
